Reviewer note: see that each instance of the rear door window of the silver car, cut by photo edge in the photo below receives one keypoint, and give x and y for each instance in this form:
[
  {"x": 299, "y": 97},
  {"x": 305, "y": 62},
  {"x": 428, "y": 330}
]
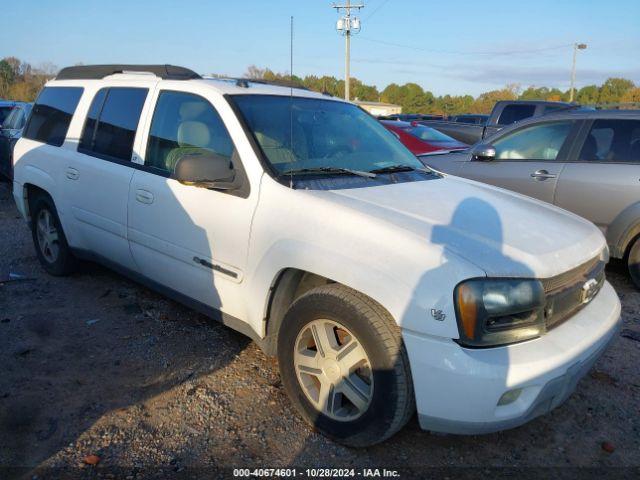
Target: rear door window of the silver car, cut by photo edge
[{"x": 616, "y": 141}]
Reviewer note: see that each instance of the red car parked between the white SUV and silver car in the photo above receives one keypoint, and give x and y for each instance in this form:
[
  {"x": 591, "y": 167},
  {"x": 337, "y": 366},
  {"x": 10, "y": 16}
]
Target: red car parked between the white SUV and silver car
[{"x": 420, "y": 139}]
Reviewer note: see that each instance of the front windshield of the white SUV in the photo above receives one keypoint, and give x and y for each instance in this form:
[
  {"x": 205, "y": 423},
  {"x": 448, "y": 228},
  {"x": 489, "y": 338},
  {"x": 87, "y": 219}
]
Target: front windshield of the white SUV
[{"x": 306, "y": 133}]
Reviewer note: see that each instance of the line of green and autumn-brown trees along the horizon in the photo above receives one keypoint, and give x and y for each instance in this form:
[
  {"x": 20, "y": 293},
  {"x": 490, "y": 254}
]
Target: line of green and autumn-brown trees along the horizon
[{"x": 21, "y": 81}]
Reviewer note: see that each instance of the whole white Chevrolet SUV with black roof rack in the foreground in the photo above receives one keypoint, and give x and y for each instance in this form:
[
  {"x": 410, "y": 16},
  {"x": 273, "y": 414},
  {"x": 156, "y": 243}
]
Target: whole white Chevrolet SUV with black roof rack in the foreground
[{"x": 299, "y": 220}]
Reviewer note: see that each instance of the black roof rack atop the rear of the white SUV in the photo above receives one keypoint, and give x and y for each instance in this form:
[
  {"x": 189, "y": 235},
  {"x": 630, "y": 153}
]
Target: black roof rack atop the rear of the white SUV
[{"x": 97, "y": 72}]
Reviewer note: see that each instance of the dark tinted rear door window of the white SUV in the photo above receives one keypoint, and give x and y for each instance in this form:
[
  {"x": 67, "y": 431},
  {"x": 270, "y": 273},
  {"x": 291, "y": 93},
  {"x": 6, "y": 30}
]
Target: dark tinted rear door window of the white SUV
[{"x": 112, "y": 121}]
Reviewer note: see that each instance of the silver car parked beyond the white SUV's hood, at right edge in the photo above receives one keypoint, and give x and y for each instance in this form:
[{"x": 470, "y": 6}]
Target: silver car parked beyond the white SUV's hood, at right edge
[{"x": 585, "y": 161}]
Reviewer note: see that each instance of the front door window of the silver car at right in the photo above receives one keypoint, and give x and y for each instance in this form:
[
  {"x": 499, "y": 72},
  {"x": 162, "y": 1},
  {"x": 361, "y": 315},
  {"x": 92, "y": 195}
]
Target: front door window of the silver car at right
[{"x": 541, "y": 141}]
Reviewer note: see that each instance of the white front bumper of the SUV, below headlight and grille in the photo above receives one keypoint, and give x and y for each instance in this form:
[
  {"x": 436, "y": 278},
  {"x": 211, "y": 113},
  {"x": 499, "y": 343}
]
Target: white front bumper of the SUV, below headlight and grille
[{"x": 458, "y": 389}]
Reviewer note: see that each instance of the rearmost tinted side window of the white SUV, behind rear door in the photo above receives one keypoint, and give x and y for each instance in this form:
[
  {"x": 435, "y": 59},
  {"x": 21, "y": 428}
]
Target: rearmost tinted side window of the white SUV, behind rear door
[{"x": 51, "y": 115}]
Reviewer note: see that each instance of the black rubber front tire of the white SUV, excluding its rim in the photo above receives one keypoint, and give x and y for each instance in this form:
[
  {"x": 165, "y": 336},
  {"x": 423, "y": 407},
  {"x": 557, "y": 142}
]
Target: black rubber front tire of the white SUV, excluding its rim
[{"x": 392, "y": 402}]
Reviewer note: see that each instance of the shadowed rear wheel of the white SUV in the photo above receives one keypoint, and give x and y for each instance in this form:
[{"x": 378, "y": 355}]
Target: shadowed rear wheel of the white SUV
[{"x": 48, "y": 237}]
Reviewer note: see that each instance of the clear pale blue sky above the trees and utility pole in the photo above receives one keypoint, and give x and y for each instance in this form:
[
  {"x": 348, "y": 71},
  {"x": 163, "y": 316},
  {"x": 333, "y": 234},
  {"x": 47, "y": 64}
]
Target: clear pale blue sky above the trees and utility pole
[{"x": 446, "y": 46}]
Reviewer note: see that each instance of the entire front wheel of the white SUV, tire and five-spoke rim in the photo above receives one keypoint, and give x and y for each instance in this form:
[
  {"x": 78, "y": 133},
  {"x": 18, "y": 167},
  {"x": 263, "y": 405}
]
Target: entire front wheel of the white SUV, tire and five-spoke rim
[{"x": 344, "y": 366}]
